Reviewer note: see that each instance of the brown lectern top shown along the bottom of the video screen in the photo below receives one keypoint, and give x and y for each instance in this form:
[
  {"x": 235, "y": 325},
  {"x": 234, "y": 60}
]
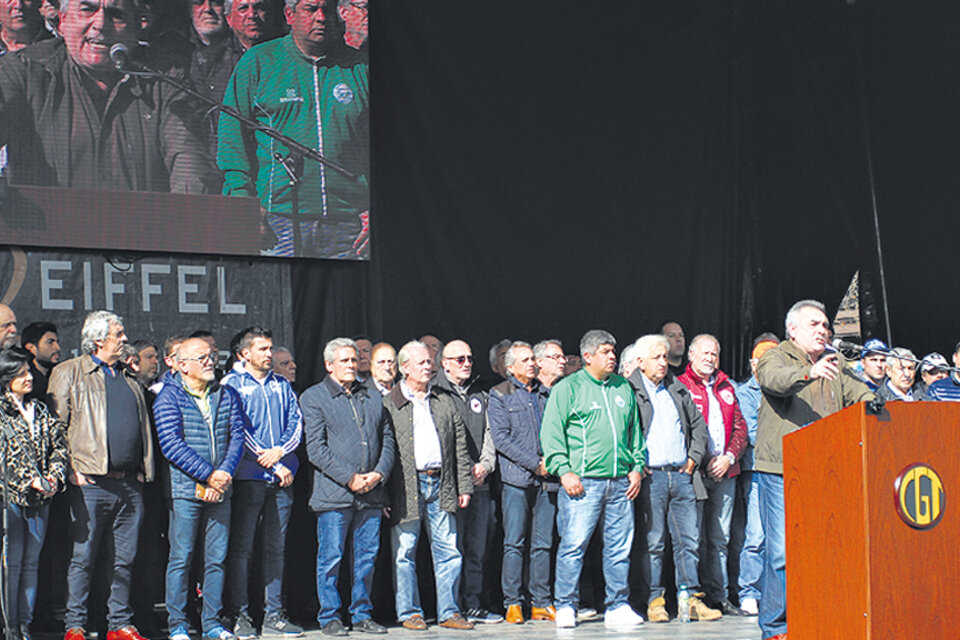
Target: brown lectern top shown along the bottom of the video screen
[{"x": 130, "y": 221}]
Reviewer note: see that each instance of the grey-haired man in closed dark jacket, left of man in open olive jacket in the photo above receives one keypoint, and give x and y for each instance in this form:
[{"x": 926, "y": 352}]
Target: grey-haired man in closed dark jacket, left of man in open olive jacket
[{"x": 351, "y": 446}]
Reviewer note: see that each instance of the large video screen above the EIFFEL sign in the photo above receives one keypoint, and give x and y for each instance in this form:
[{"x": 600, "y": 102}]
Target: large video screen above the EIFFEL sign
[{"x": 112, "y": 139}]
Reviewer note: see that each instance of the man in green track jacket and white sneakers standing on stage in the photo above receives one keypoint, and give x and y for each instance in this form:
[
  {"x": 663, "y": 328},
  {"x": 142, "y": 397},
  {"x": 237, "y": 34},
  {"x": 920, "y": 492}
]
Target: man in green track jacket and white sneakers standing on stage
[{"x": 591, "y": 439}]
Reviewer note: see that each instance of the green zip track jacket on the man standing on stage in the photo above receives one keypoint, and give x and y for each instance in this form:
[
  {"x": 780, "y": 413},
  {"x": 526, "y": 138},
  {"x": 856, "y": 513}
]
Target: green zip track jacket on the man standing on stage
[{"x": 592, "y": 428}]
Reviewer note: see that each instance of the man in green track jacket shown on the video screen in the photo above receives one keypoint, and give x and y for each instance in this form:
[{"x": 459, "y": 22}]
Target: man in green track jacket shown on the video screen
[{"x": 314, "y": 90}]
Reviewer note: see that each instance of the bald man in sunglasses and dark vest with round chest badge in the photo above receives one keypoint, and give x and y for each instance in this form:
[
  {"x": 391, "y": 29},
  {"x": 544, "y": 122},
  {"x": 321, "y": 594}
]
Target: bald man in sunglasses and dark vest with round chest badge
[{"x": 473, "y": 523}]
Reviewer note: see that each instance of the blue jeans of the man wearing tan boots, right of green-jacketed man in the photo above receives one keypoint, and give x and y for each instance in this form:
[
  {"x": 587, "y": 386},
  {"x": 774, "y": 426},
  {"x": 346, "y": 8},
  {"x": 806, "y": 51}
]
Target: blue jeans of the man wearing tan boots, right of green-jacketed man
[{"x": 671, "y": 501}]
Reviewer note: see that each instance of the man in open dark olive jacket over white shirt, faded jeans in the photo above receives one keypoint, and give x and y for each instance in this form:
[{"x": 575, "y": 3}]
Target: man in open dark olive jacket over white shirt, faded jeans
[{"x": 431, "y": 480}]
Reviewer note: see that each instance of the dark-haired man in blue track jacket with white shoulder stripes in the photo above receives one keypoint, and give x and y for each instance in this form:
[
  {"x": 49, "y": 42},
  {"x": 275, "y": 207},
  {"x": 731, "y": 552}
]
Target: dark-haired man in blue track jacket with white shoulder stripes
[{"x": 264, "y": 483}]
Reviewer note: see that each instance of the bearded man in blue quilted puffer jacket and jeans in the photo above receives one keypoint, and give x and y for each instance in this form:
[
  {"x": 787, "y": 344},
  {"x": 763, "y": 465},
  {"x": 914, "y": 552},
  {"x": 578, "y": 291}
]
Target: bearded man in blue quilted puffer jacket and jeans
[{"x": 200, "y": 425}]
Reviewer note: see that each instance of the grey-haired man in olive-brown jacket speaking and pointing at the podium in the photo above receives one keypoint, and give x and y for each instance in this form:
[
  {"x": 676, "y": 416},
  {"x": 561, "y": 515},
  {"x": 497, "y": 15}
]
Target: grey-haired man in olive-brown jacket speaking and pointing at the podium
[{"x": 802, "y": 380}]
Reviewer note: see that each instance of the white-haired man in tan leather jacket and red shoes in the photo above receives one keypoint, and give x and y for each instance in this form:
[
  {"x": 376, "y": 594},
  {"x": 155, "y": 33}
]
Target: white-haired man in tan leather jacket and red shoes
[{"x": 111, "y": 454}]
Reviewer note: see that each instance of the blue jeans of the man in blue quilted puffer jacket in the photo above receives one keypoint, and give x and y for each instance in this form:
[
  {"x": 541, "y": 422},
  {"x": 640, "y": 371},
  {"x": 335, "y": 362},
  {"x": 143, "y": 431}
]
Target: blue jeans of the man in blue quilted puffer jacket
[{"x": 212, "y": 520}]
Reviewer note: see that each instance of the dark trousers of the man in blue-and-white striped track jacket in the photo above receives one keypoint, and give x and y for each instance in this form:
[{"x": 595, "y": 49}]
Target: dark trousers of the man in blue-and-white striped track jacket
[{"x": 251, "y": 500}]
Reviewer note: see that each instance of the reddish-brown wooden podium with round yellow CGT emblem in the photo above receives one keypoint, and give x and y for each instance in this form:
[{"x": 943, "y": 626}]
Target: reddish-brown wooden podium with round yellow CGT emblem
[{"x": 857, "y": 568}]
